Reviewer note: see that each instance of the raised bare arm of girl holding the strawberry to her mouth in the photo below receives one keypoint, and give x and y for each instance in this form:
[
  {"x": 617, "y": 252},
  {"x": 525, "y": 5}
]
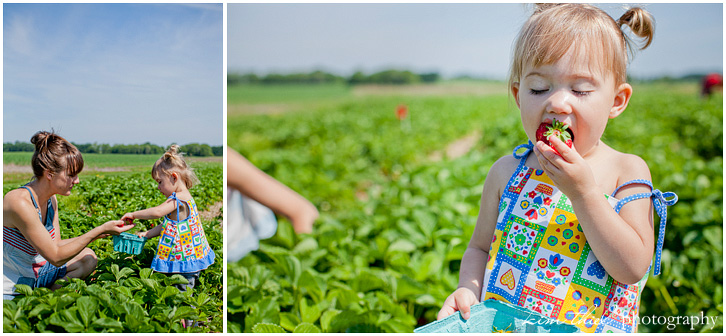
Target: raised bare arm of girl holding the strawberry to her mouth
[{"x": 623, "y": 243}]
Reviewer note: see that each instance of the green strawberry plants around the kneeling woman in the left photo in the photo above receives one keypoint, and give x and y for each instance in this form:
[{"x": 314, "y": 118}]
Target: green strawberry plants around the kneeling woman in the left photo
[{"x": 123, "y": 294}]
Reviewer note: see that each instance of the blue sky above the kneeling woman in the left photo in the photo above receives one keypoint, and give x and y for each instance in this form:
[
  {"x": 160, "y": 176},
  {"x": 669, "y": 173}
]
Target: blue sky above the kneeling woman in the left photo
[{"x": 114, "y": 73}]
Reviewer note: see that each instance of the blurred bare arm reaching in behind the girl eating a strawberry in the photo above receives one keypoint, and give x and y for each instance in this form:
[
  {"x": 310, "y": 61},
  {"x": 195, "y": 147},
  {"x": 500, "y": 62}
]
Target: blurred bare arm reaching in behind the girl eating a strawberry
[{"x": 254, "y": 183}]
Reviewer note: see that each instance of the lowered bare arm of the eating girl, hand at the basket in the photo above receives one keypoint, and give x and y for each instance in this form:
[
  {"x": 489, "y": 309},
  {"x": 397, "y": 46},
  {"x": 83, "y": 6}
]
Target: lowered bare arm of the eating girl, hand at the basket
[{"x": 473, "y": 263}]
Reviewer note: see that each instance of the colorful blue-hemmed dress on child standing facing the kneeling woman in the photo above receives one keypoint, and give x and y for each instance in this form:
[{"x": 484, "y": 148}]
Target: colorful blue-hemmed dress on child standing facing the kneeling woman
[{"x": 183, "y": 246}]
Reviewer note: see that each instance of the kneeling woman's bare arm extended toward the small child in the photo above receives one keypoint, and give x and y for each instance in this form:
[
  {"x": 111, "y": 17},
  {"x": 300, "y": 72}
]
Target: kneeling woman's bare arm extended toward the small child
[{"x": 58, "y": 252}]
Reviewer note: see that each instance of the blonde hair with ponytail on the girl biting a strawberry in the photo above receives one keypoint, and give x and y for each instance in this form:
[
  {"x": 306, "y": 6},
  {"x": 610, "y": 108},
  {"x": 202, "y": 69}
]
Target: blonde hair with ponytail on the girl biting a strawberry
[{"x": 555, "y": 28}]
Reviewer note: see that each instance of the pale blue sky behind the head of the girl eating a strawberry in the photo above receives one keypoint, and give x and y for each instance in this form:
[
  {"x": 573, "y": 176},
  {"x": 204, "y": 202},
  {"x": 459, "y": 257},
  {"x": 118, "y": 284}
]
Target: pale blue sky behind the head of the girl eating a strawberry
[{"x": 452, "y": 39}]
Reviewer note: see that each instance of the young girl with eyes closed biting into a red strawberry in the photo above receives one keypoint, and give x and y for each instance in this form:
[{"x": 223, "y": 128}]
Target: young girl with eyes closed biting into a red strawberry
[{"x": 567, "y": 232}]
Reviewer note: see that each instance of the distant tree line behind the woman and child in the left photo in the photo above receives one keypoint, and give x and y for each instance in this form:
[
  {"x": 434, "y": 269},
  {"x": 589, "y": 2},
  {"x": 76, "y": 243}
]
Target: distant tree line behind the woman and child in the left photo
[{"x": 193, "y": 149}]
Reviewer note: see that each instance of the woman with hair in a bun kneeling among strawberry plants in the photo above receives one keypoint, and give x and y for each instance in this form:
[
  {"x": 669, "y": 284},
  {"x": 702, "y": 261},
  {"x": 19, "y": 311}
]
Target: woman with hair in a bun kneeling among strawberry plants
[{"x": 33, "y": 252}]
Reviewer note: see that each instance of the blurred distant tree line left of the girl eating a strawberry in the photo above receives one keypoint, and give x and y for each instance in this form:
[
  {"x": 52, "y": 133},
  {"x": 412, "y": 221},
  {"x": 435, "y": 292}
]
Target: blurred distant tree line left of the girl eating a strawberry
[{"x": 320, "y": 77}]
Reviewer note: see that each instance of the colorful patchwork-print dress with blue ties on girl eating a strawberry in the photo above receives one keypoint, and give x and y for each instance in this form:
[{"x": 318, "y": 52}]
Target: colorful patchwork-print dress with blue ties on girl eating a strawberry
[{"x": 540, "y": 258}]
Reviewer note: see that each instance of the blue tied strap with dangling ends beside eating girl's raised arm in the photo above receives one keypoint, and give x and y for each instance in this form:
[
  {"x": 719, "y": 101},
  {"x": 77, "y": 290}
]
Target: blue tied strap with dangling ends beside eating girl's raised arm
[{"x": 661, "y": 200}]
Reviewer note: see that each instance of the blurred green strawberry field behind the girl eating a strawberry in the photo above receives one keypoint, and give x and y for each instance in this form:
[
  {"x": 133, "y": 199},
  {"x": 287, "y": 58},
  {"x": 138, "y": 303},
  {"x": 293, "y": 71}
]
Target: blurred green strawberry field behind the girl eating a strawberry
[{"x": 396, "y": 216}]
